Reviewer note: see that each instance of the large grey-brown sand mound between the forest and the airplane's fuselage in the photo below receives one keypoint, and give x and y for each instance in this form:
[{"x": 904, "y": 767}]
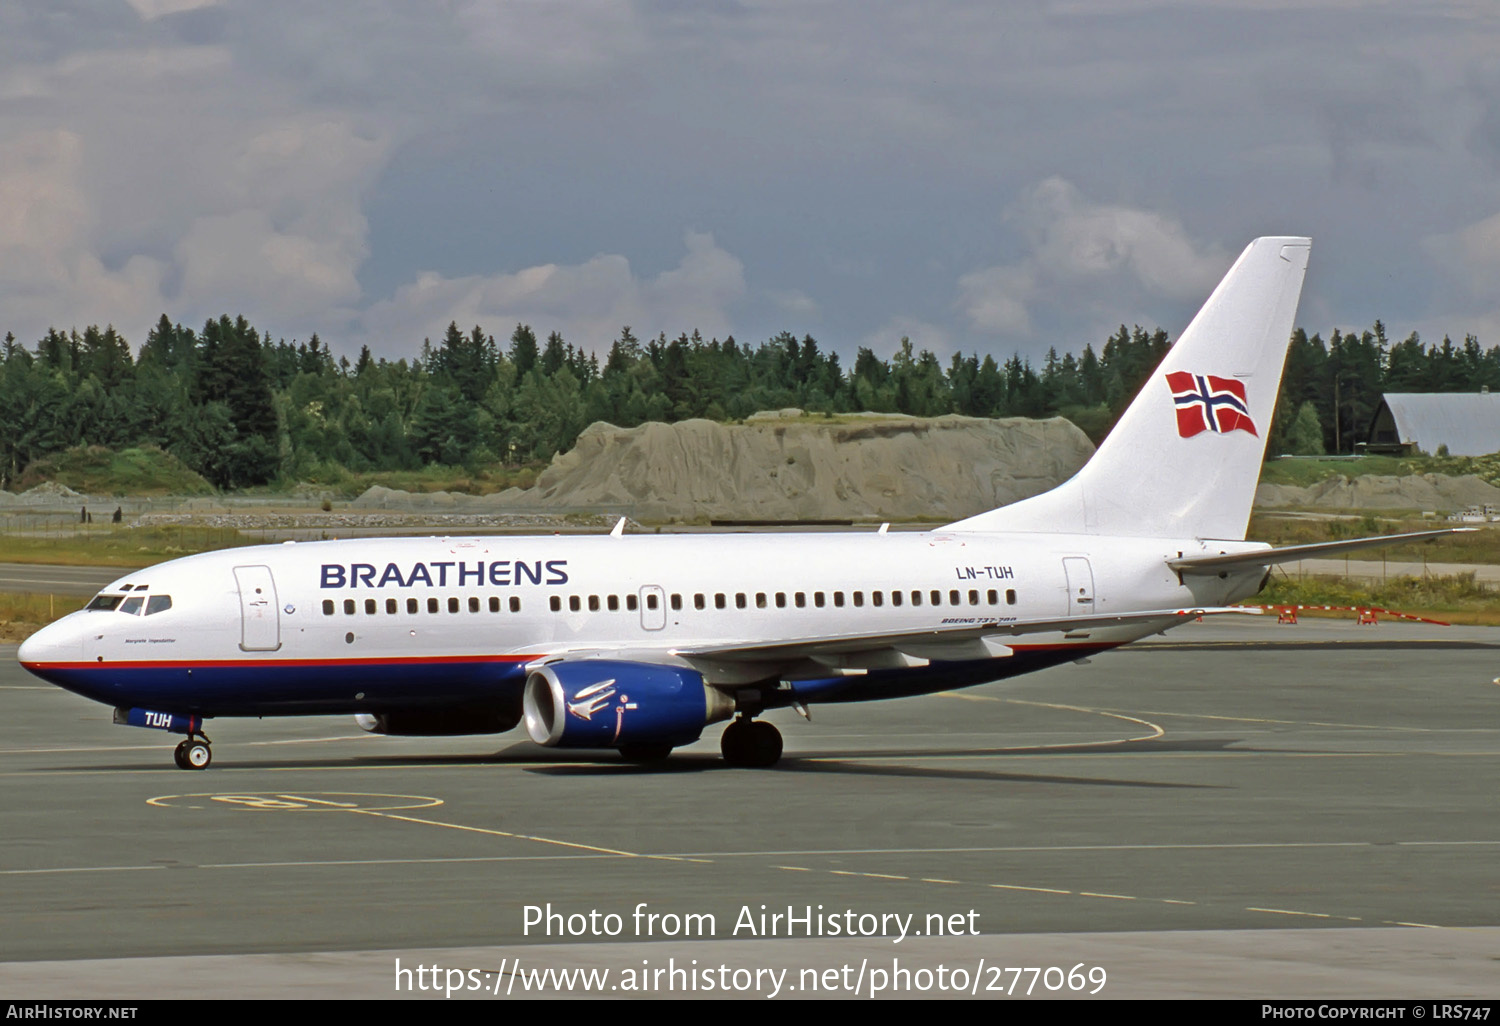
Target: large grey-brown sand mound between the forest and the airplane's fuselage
[{"x": 791, "y": 467}]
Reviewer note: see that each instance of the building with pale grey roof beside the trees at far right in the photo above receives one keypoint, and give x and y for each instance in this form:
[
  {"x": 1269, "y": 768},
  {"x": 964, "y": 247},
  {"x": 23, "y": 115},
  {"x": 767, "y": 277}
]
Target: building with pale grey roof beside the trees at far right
[{"x": 1468, "y": 424}]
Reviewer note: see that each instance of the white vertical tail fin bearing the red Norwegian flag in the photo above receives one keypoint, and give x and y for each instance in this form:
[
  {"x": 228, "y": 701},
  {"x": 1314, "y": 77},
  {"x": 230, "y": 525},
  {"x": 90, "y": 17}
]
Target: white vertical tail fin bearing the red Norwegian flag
[{"x": 1186, "y": 457}]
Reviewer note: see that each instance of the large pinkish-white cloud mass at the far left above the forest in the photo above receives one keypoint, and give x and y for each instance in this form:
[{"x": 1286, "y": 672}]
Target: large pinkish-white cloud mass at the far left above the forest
[{"x": 235, "y": 205}]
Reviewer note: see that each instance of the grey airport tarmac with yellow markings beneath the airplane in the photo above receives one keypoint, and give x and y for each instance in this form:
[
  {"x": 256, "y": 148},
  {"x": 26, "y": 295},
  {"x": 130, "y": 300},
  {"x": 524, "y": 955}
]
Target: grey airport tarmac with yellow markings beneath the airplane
[{"x": 1229, "y": 811}]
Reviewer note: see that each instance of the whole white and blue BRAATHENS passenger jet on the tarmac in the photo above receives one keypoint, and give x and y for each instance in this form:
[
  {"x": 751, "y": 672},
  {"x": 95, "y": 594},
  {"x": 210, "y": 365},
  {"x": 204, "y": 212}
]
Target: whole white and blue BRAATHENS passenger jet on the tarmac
[{"x": 640, "y": 643}]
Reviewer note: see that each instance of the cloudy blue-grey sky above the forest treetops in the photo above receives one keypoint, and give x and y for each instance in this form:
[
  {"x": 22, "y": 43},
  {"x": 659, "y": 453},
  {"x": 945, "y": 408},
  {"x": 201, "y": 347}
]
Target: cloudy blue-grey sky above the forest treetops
[{"x": 980, "y": 178}]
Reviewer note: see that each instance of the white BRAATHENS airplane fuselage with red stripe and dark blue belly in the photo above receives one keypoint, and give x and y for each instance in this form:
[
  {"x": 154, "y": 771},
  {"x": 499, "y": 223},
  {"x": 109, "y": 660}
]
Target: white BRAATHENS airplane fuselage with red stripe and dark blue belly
[{"x": 304, "y": 626}]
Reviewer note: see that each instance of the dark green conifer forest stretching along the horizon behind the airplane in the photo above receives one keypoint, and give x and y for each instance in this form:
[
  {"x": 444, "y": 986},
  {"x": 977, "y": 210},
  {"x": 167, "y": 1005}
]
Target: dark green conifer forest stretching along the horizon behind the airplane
[{"x": 247, "y": 412}]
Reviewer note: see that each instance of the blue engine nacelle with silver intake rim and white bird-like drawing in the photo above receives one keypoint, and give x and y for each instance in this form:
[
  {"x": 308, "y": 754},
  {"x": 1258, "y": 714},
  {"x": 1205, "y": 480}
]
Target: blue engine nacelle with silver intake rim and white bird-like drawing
[{"x": 605, "y": 704}]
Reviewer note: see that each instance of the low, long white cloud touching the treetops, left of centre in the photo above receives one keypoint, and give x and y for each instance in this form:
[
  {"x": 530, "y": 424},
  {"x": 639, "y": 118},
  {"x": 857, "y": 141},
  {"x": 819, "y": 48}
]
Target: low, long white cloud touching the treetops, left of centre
[{"x": 589, "y": 302}]
